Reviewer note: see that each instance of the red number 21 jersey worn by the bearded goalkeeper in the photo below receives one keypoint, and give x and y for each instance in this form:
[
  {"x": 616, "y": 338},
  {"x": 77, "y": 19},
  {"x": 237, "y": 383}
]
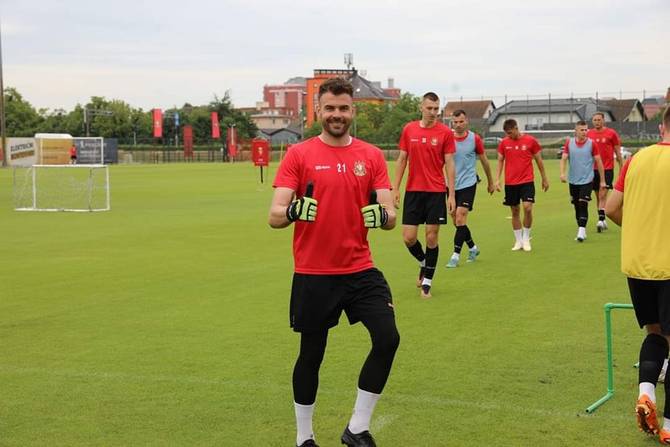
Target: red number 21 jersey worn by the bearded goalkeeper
[{"x": 343, "y": 177}]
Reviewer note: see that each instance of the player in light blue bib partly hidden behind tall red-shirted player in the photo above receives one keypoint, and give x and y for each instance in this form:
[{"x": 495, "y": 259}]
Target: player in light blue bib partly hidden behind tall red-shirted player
[{"x": 469, "y": 147}]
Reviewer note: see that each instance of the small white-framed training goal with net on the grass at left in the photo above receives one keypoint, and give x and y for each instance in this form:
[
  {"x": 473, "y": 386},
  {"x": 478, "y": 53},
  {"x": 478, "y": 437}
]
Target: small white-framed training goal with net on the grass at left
[{"x": 61, "y": 188}]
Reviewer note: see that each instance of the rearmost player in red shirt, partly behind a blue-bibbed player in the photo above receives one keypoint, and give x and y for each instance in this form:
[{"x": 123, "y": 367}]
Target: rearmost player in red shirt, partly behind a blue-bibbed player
[{"x": 609, "y": 145}]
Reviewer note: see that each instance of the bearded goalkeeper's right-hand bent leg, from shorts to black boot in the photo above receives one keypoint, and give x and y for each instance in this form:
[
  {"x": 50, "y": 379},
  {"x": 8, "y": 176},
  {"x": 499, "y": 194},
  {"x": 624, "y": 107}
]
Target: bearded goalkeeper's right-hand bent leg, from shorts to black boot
[{"x": 373, "y": 306}]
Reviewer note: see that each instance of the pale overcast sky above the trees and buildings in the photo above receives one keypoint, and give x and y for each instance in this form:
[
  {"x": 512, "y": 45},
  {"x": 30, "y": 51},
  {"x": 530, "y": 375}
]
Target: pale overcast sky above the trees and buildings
[{"x": 166, "y": 53}]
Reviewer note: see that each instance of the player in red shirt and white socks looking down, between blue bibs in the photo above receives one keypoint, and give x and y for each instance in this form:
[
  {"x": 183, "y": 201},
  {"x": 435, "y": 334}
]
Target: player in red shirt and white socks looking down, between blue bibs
[{"x": 516, "y": 153}]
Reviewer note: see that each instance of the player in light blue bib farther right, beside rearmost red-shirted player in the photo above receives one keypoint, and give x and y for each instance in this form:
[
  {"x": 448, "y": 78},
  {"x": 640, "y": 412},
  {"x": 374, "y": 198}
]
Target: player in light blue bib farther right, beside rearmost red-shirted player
[{"x": 581, "y": 153}]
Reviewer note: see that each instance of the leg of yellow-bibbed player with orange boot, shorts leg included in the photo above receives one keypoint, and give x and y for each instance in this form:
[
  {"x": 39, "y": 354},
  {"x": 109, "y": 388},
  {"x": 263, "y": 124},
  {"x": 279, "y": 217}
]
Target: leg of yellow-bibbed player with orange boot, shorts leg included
[{"x": 653, "y": 351}]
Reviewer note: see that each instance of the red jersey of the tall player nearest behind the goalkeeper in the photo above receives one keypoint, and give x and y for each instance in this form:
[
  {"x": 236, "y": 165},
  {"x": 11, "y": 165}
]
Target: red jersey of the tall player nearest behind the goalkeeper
[{"x": 425, "y": 147}]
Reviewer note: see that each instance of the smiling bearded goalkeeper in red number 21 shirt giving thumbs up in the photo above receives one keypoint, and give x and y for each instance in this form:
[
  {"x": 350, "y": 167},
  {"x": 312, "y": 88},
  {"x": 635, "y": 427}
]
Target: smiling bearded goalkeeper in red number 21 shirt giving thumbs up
[{"x": 343, "y": 178}]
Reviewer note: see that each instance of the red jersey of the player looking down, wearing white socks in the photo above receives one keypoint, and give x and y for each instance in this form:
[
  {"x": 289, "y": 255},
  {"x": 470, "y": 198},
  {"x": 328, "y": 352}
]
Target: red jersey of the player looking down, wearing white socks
[{"x": 519, "y": 158}]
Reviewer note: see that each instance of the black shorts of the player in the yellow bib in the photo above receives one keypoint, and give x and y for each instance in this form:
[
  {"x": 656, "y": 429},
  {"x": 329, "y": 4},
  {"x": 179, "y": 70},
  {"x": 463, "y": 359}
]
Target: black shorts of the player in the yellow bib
[{"x": 651, "y": 301}]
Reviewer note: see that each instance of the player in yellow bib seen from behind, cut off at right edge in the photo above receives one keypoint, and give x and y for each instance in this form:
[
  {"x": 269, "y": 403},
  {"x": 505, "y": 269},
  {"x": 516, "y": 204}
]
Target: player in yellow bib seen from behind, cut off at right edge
[{"x": 640, "y": 203}]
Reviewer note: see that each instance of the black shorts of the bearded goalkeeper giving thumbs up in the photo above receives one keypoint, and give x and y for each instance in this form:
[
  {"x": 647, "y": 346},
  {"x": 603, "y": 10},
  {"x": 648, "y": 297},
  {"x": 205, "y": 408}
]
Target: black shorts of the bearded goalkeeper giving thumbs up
[{"x": 317, "y": 301}]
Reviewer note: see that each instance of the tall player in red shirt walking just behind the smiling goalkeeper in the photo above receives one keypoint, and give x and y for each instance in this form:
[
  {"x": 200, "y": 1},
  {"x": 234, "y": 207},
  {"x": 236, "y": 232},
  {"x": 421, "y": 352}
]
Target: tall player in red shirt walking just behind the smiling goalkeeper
[{"x": 428, "y": 146}]
